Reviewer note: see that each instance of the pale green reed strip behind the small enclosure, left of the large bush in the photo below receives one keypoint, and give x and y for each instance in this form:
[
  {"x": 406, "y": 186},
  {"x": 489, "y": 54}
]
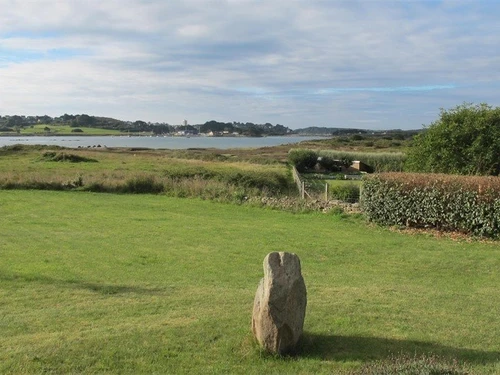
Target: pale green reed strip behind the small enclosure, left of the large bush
[{"x": 379, "y": 161}]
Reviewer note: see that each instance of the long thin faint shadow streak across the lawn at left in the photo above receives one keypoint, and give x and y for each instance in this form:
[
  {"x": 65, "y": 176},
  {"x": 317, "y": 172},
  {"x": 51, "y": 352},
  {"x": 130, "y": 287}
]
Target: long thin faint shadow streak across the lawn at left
[{"x": 106, "y": 289}]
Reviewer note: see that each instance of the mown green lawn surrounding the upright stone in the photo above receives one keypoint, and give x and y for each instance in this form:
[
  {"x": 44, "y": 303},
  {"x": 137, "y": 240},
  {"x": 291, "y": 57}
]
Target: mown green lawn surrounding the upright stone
[{"x": 103, "y": 283}]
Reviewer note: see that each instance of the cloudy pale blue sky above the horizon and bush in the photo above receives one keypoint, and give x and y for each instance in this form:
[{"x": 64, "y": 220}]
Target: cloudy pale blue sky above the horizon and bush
[{"x": 349, "y": 64}]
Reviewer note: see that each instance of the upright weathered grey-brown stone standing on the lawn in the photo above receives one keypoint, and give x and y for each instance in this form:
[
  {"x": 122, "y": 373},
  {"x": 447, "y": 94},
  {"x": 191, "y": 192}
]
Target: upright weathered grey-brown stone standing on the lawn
[{"x": 280, "y": 304}]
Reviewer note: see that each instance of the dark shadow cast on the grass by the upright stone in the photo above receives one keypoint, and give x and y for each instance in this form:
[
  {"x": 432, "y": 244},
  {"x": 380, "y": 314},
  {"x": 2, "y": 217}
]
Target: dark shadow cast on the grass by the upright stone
[{"x": 359, "y": 348}]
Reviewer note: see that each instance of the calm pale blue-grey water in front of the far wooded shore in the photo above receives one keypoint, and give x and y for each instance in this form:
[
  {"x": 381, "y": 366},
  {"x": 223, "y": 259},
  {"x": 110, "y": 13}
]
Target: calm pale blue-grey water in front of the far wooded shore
[{"x": 155, "y": 142}]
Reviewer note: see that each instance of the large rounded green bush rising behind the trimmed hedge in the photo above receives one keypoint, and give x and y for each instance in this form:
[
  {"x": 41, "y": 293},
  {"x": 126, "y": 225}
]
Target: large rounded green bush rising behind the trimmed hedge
[{"x": 464, "y": 140}]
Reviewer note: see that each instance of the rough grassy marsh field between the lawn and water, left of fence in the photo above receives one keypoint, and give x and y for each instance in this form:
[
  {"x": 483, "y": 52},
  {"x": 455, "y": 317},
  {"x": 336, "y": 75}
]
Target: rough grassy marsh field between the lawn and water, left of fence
[{"x": 144, "y": 171}]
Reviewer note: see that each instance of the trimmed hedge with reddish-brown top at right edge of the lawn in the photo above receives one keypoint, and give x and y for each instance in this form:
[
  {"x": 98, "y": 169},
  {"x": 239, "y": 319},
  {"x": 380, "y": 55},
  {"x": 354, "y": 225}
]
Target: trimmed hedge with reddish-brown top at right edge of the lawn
[{"x": 446, "y": 202}]
